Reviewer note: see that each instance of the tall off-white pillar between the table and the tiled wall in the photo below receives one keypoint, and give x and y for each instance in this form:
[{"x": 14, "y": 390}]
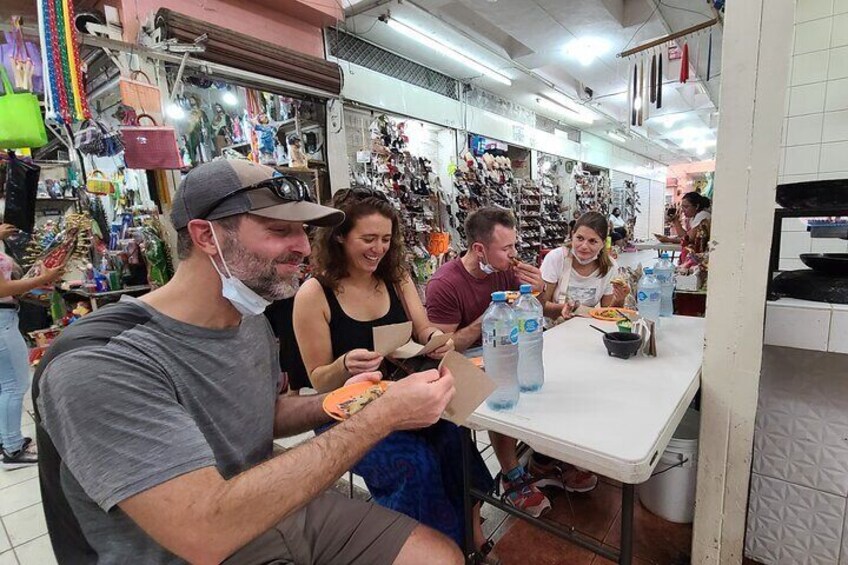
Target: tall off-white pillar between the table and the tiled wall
[{"x": 755, "y": 75}]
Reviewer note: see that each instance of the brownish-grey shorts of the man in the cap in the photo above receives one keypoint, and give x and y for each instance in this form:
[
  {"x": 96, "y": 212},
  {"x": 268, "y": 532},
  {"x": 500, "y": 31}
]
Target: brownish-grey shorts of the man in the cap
[{"x": 332, "y": 529}]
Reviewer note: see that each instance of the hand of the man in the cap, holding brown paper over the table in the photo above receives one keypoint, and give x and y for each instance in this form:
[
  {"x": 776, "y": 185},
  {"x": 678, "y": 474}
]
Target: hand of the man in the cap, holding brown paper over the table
[{"x": 418, "y": 400}]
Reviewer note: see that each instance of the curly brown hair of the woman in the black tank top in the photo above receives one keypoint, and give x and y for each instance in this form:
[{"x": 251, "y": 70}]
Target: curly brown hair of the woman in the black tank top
[{"x": 328, "y": 254}]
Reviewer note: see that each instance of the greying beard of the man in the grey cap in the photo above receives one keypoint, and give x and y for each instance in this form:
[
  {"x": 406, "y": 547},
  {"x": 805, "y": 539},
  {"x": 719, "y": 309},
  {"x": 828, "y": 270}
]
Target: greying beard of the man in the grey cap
[{"x": 260, "y": 274}]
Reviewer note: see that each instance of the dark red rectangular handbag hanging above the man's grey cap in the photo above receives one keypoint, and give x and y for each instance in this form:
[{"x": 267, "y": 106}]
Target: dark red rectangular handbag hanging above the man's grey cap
[{"x": 150, "y": 147}]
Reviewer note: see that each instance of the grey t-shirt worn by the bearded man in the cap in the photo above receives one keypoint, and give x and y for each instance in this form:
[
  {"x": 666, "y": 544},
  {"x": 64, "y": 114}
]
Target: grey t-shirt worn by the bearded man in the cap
[{"x": 159, "y": 399}]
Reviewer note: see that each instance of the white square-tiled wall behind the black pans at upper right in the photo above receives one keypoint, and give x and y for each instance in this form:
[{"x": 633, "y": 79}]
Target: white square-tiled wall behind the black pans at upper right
[{"x": 815, "y": 131}]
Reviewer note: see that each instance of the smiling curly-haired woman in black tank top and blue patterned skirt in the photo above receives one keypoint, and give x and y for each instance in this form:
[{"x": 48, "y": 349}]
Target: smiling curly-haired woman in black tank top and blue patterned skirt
[{"x": 361, "y": 282}]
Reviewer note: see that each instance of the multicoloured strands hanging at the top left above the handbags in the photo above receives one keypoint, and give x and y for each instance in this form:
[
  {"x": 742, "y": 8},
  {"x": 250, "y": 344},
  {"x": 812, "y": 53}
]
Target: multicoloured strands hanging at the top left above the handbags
[{"x": 64, "y": 90}]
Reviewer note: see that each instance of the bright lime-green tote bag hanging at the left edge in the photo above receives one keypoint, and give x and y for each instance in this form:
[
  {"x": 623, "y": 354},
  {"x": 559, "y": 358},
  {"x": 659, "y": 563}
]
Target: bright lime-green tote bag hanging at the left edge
[{"x": 21, "y": 124}]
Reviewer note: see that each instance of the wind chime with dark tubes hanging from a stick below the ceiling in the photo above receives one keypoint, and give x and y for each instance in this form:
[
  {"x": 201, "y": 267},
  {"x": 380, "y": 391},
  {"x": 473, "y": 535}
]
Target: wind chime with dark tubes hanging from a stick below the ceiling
[{"x": 645, "y": 82}]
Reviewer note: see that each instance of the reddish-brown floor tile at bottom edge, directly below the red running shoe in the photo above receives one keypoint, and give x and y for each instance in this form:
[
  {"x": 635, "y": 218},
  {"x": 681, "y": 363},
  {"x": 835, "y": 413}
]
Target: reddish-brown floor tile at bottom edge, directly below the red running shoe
[{"x": 524, "y": 543}]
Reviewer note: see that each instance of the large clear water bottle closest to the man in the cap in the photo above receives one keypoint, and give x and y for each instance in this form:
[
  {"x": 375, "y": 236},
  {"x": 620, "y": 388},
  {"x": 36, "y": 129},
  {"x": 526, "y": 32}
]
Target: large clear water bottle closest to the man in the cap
[{"x": 500, "y": 352}]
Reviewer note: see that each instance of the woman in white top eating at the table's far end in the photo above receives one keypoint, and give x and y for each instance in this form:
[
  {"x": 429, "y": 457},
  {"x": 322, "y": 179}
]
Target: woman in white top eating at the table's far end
[{"x": 581, "y": 272}]
